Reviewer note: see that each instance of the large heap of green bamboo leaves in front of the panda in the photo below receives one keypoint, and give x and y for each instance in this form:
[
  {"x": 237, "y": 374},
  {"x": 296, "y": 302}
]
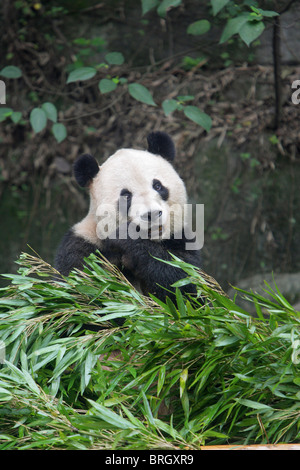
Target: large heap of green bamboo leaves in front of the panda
[{"x": 168, "y": 376}]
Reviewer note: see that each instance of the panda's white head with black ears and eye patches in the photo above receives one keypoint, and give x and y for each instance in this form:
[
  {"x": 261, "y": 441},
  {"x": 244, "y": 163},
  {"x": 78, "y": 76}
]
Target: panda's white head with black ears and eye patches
[{"x": 136, "y": 188}]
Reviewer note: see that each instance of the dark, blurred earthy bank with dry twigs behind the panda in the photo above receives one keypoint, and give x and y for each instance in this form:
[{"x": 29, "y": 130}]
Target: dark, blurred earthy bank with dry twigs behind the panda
[{"x": 245, "y": 169}]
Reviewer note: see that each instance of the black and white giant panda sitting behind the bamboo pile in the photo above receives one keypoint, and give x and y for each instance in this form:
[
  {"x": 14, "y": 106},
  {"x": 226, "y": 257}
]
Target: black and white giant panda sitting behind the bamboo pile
[{"x": 135, "y": 216}]
